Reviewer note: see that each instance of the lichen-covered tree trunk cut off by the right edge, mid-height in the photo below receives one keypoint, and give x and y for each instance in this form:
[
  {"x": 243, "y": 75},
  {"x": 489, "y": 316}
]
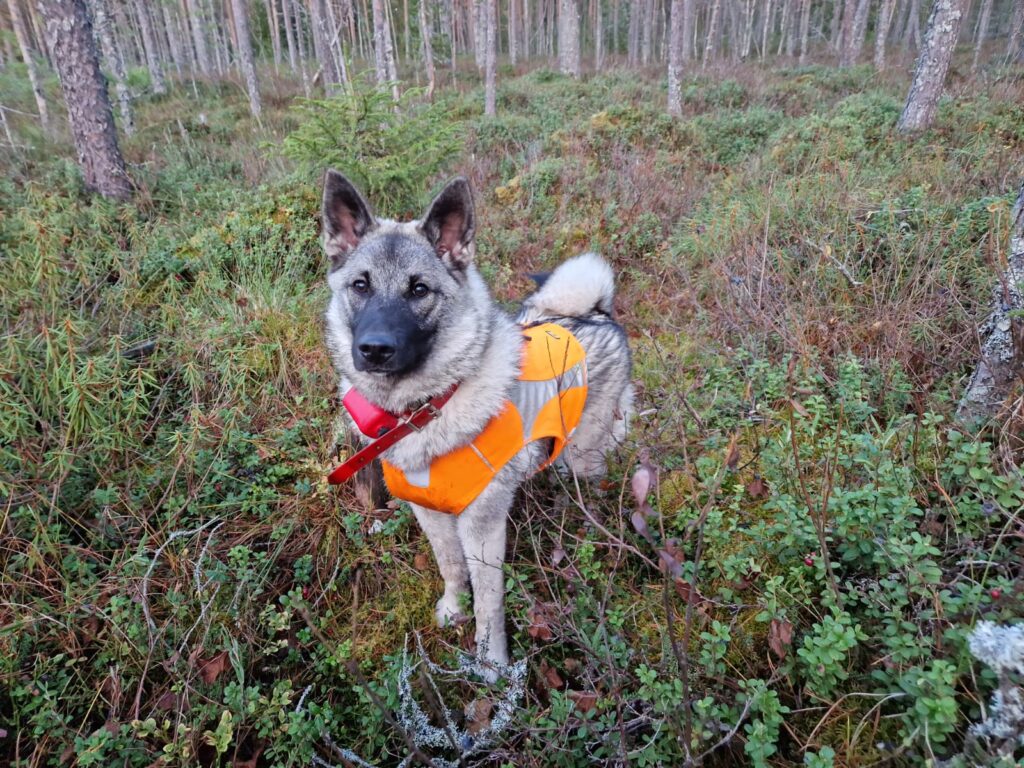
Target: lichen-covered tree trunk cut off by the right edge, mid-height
[{"x": 1002, "y": 363}]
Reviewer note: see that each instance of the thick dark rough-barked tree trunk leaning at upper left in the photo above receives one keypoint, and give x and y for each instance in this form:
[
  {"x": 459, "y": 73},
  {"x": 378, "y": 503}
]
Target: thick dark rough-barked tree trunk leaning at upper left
[{"x": 69, "y": 30}]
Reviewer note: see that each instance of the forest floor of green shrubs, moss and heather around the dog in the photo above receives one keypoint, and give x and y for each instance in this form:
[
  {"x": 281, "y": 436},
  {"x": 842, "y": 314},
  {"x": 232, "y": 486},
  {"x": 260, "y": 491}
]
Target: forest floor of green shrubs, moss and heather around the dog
[{"x": 802, "y": 289}]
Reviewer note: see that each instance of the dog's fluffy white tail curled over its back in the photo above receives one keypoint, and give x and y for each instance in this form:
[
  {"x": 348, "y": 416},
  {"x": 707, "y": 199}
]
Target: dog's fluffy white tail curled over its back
[{"x": 581, "y": 287}]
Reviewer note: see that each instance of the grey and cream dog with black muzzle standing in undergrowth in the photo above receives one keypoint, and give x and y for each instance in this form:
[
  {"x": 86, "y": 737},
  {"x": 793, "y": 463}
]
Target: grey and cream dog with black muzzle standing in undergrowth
[{"x": 411, "y": 319}]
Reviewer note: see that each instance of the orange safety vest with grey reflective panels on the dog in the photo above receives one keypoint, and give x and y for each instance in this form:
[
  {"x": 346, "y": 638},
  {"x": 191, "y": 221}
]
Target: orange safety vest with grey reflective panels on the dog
[{"x": 546, "y": 404}]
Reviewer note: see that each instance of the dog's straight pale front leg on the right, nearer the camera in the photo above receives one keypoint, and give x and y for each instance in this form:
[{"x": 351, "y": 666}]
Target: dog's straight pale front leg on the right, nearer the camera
[{"x": 483, "y": 531}]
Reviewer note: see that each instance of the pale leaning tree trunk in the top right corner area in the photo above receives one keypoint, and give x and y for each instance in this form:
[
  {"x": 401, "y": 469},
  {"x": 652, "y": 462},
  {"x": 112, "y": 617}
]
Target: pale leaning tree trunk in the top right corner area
[{"x": 944, "y": 27}]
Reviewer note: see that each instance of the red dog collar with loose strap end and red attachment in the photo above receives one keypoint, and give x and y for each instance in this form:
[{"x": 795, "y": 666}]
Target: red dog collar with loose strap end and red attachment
[{"x": 389, "y": 429}]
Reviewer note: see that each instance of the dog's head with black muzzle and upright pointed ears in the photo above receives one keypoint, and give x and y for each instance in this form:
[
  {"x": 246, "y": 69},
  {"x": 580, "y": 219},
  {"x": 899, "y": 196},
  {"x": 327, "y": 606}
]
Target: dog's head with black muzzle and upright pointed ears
[{"x": 406, "y": 297}]
